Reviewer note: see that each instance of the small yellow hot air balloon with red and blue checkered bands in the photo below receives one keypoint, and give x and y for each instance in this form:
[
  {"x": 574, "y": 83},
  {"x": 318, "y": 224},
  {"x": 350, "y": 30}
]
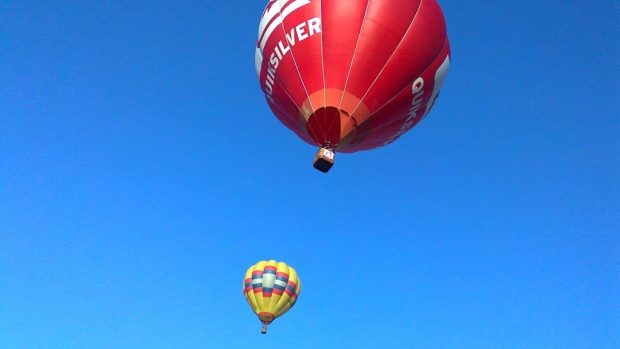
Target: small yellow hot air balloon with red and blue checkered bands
[{"x": 271, "y": 288}]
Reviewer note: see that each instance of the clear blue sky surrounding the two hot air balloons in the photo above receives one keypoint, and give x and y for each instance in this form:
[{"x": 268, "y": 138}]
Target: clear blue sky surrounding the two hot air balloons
[{"x": 141, "y": 173}]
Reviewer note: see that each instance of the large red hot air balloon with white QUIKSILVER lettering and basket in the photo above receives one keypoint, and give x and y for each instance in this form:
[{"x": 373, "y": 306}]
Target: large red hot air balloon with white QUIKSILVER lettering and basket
[{"x": 351, "y": 75}]
